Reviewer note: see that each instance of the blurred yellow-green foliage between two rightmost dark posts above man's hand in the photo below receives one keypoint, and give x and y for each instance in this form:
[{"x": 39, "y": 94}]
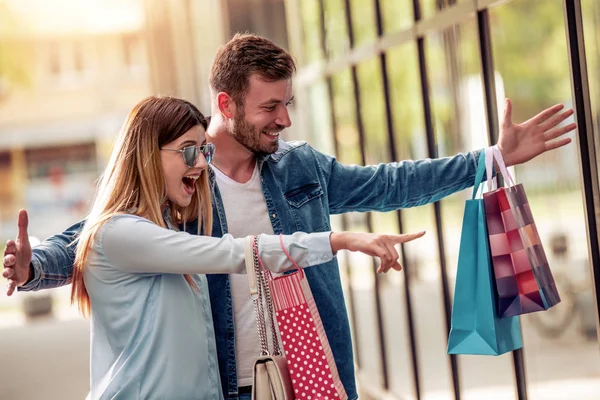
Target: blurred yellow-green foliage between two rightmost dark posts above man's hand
[{"x": 531, "y": 52}]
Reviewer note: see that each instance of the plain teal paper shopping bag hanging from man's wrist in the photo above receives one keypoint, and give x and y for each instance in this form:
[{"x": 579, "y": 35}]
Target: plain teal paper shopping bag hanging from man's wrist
[{"x": 475, "y": 326}]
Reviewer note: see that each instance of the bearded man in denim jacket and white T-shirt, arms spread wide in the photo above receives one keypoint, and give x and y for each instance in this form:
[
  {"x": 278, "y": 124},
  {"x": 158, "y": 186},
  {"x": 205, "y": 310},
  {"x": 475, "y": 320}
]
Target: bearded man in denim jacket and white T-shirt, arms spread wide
[{"x": 266, "y": 185}]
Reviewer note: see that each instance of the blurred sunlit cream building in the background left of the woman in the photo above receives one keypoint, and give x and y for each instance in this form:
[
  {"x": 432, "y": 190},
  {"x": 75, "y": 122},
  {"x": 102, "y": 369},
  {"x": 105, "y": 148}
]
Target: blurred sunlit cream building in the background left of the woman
[{"x": 83, "y": 69}]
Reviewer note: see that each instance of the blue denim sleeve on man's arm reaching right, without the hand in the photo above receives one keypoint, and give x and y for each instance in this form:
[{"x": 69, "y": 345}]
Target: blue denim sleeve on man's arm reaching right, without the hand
[{"x": 387, "y": 187}]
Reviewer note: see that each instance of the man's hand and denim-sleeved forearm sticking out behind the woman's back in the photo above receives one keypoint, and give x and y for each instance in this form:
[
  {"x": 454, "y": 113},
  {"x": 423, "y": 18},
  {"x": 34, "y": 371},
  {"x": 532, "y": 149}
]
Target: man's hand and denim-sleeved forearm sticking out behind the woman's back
[{"x": 47, "y": 266}]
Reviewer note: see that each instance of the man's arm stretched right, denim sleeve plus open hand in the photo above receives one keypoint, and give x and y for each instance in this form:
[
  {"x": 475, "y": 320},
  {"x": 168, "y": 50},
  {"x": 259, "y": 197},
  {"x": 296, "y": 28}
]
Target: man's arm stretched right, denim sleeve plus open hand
[{"x": 387, "y": 187}]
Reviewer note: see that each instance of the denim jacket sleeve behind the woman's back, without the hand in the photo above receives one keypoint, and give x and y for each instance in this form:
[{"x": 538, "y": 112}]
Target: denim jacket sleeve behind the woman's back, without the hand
[{"x": 52, "y": 260}]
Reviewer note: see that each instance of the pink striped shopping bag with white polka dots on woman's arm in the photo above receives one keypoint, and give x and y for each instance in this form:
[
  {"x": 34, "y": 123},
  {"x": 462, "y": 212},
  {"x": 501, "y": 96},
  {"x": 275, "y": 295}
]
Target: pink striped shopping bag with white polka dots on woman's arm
[{"x": 308, "y": 354}]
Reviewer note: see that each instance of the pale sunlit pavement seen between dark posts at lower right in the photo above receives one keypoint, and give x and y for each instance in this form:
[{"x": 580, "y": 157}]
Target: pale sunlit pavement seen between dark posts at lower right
[{"x": 560, "y": 369}]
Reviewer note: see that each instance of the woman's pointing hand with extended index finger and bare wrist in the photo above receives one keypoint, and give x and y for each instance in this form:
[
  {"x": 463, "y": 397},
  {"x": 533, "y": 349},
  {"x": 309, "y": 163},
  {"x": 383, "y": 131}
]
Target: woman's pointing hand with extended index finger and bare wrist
[{"x": 373, "y": 244}]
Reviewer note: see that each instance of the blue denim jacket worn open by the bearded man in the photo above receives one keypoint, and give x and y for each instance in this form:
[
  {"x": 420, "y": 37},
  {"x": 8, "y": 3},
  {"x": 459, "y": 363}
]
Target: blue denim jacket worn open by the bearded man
[{"x": 302, "y": 188}]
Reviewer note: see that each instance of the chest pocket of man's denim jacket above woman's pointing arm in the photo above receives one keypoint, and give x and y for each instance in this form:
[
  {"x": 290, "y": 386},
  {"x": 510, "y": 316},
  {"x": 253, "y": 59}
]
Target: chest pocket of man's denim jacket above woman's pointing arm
[{"x": 306, "y": 207}]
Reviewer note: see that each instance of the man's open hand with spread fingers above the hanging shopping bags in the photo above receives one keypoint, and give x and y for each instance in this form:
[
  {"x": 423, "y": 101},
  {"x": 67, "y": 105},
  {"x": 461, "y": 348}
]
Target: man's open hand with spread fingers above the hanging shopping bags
[{"x": 520, "y": 143}]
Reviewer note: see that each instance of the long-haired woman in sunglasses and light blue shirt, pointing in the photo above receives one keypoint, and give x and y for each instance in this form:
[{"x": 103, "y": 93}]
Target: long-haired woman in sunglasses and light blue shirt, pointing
[{"x": 142, "y": 281}]
